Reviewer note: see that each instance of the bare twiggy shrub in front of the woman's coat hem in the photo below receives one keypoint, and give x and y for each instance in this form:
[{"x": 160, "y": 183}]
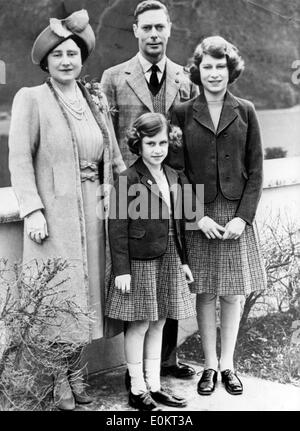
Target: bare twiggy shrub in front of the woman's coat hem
[{"x": 30, "y": 303}]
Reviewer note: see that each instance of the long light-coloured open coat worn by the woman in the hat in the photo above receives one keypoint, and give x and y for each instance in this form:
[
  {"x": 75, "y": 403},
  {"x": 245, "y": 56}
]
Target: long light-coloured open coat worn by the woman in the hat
[{"x": 45, "y": 175}]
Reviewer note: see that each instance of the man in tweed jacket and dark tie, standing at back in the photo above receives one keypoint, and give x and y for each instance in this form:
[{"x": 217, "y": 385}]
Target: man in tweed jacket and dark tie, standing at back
[{"x": 149, "y": 82}]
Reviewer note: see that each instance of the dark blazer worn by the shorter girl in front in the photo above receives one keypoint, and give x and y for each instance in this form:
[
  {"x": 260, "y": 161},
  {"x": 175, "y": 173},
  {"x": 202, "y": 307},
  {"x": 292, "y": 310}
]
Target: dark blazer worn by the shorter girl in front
[{"x": 144, "y": 238}]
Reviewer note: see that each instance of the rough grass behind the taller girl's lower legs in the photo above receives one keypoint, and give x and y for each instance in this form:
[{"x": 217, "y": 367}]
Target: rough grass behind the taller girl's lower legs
[{"x": 263, "y": 349}]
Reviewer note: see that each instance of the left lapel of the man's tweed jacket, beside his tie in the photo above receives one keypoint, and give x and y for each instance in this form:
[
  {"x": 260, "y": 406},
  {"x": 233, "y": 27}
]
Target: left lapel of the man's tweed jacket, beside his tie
[{"x": 137, "y": 82}]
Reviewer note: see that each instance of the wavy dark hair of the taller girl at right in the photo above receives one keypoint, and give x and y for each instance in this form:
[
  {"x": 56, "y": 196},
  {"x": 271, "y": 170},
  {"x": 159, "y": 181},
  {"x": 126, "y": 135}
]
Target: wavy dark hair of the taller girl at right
[{"x": 217, "y": 47}]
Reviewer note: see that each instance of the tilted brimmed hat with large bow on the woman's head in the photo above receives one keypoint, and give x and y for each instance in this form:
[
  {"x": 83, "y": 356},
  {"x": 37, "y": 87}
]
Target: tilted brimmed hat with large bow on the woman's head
[{"x": 60, "y": 30}]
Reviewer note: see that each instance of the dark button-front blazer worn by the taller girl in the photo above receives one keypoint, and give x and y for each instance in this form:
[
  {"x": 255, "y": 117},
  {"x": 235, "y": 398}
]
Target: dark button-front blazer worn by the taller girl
[{"x": 231, "y": 156}]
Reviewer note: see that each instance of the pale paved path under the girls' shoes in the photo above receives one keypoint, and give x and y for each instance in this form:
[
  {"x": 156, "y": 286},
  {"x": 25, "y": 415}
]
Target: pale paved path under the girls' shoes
[{"x": 110, "y": 394}]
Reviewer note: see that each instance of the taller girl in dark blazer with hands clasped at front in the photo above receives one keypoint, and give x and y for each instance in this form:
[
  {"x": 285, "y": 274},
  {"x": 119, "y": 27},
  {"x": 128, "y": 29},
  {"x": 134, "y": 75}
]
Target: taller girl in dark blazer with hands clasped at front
[{"x": 223, "y": 151}]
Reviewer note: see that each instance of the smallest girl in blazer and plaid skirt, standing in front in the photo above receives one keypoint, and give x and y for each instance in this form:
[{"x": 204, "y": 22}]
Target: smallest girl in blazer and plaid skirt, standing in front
[{"x": 150, "y": 271}]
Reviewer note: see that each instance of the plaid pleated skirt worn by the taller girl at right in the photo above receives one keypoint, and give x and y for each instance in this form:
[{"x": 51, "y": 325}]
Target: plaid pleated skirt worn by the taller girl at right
[{"x": 230, "y": 267}]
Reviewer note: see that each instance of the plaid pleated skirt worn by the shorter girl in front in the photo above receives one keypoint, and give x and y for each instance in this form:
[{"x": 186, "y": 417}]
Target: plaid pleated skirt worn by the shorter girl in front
[{"x": 158, "y": 290}]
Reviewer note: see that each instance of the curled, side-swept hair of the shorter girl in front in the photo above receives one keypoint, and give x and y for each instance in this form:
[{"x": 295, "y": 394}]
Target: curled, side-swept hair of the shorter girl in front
[{"x": 150, "y": 124}]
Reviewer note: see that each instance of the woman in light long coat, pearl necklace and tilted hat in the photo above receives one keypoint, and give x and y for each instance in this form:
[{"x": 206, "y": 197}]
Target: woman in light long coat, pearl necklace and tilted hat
[{"x": 61, "y": 148}]
